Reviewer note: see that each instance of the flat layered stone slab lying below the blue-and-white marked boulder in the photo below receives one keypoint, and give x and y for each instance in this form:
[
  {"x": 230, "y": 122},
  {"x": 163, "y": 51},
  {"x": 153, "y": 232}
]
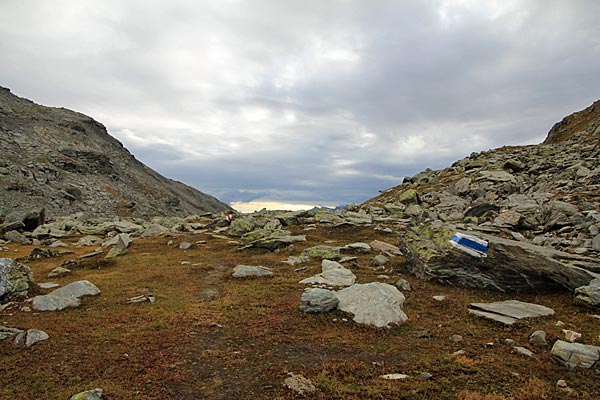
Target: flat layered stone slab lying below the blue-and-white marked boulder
[{"x": 509, "y": 311}]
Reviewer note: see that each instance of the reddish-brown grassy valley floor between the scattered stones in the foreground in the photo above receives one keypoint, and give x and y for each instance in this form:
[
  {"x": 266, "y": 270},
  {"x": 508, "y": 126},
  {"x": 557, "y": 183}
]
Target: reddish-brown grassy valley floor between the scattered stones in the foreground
[{"x": 209, "y": 336}]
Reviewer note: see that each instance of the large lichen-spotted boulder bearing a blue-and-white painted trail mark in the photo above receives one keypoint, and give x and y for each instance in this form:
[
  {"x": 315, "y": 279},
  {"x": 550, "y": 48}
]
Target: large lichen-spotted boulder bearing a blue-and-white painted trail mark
[{"x": 510, "y": 266}]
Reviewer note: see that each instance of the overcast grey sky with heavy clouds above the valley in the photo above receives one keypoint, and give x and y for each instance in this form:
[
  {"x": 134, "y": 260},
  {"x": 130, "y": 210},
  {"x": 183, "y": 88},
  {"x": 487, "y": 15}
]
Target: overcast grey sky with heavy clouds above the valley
[{"x": 312, "y": 102}]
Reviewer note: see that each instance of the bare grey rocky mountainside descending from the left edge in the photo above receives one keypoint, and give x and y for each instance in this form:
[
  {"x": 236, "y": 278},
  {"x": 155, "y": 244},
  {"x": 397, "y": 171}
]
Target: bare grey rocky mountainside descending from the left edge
[{"x": 66, "y": 162}]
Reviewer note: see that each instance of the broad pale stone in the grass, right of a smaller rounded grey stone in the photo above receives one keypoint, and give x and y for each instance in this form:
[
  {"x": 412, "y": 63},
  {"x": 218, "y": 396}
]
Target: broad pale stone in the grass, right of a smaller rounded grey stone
[{"x": 375, "y": 303}]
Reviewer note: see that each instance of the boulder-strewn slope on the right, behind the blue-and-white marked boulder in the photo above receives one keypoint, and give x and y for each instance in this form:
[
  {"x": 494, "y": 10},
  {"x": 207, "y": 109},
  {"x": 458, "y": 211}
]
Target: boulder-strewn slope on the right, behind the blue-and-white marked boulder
[{"x": 546, "y": 195}]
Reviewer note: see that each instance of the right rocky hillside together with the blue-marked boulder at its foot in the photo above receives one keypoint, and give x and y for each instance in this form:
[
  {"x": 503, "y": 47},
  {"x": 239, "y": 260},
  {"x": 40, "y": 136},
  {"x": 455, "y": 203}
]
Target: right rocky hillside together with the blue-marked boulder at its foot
[{"x": 537, "y": 202}]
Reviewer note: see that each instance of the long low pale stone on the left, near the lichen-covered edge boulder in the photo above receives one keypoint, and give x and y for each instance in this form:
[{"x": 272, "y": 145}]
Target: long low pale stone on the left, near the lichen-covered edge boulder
[{"x": 67, "y": 296}]
